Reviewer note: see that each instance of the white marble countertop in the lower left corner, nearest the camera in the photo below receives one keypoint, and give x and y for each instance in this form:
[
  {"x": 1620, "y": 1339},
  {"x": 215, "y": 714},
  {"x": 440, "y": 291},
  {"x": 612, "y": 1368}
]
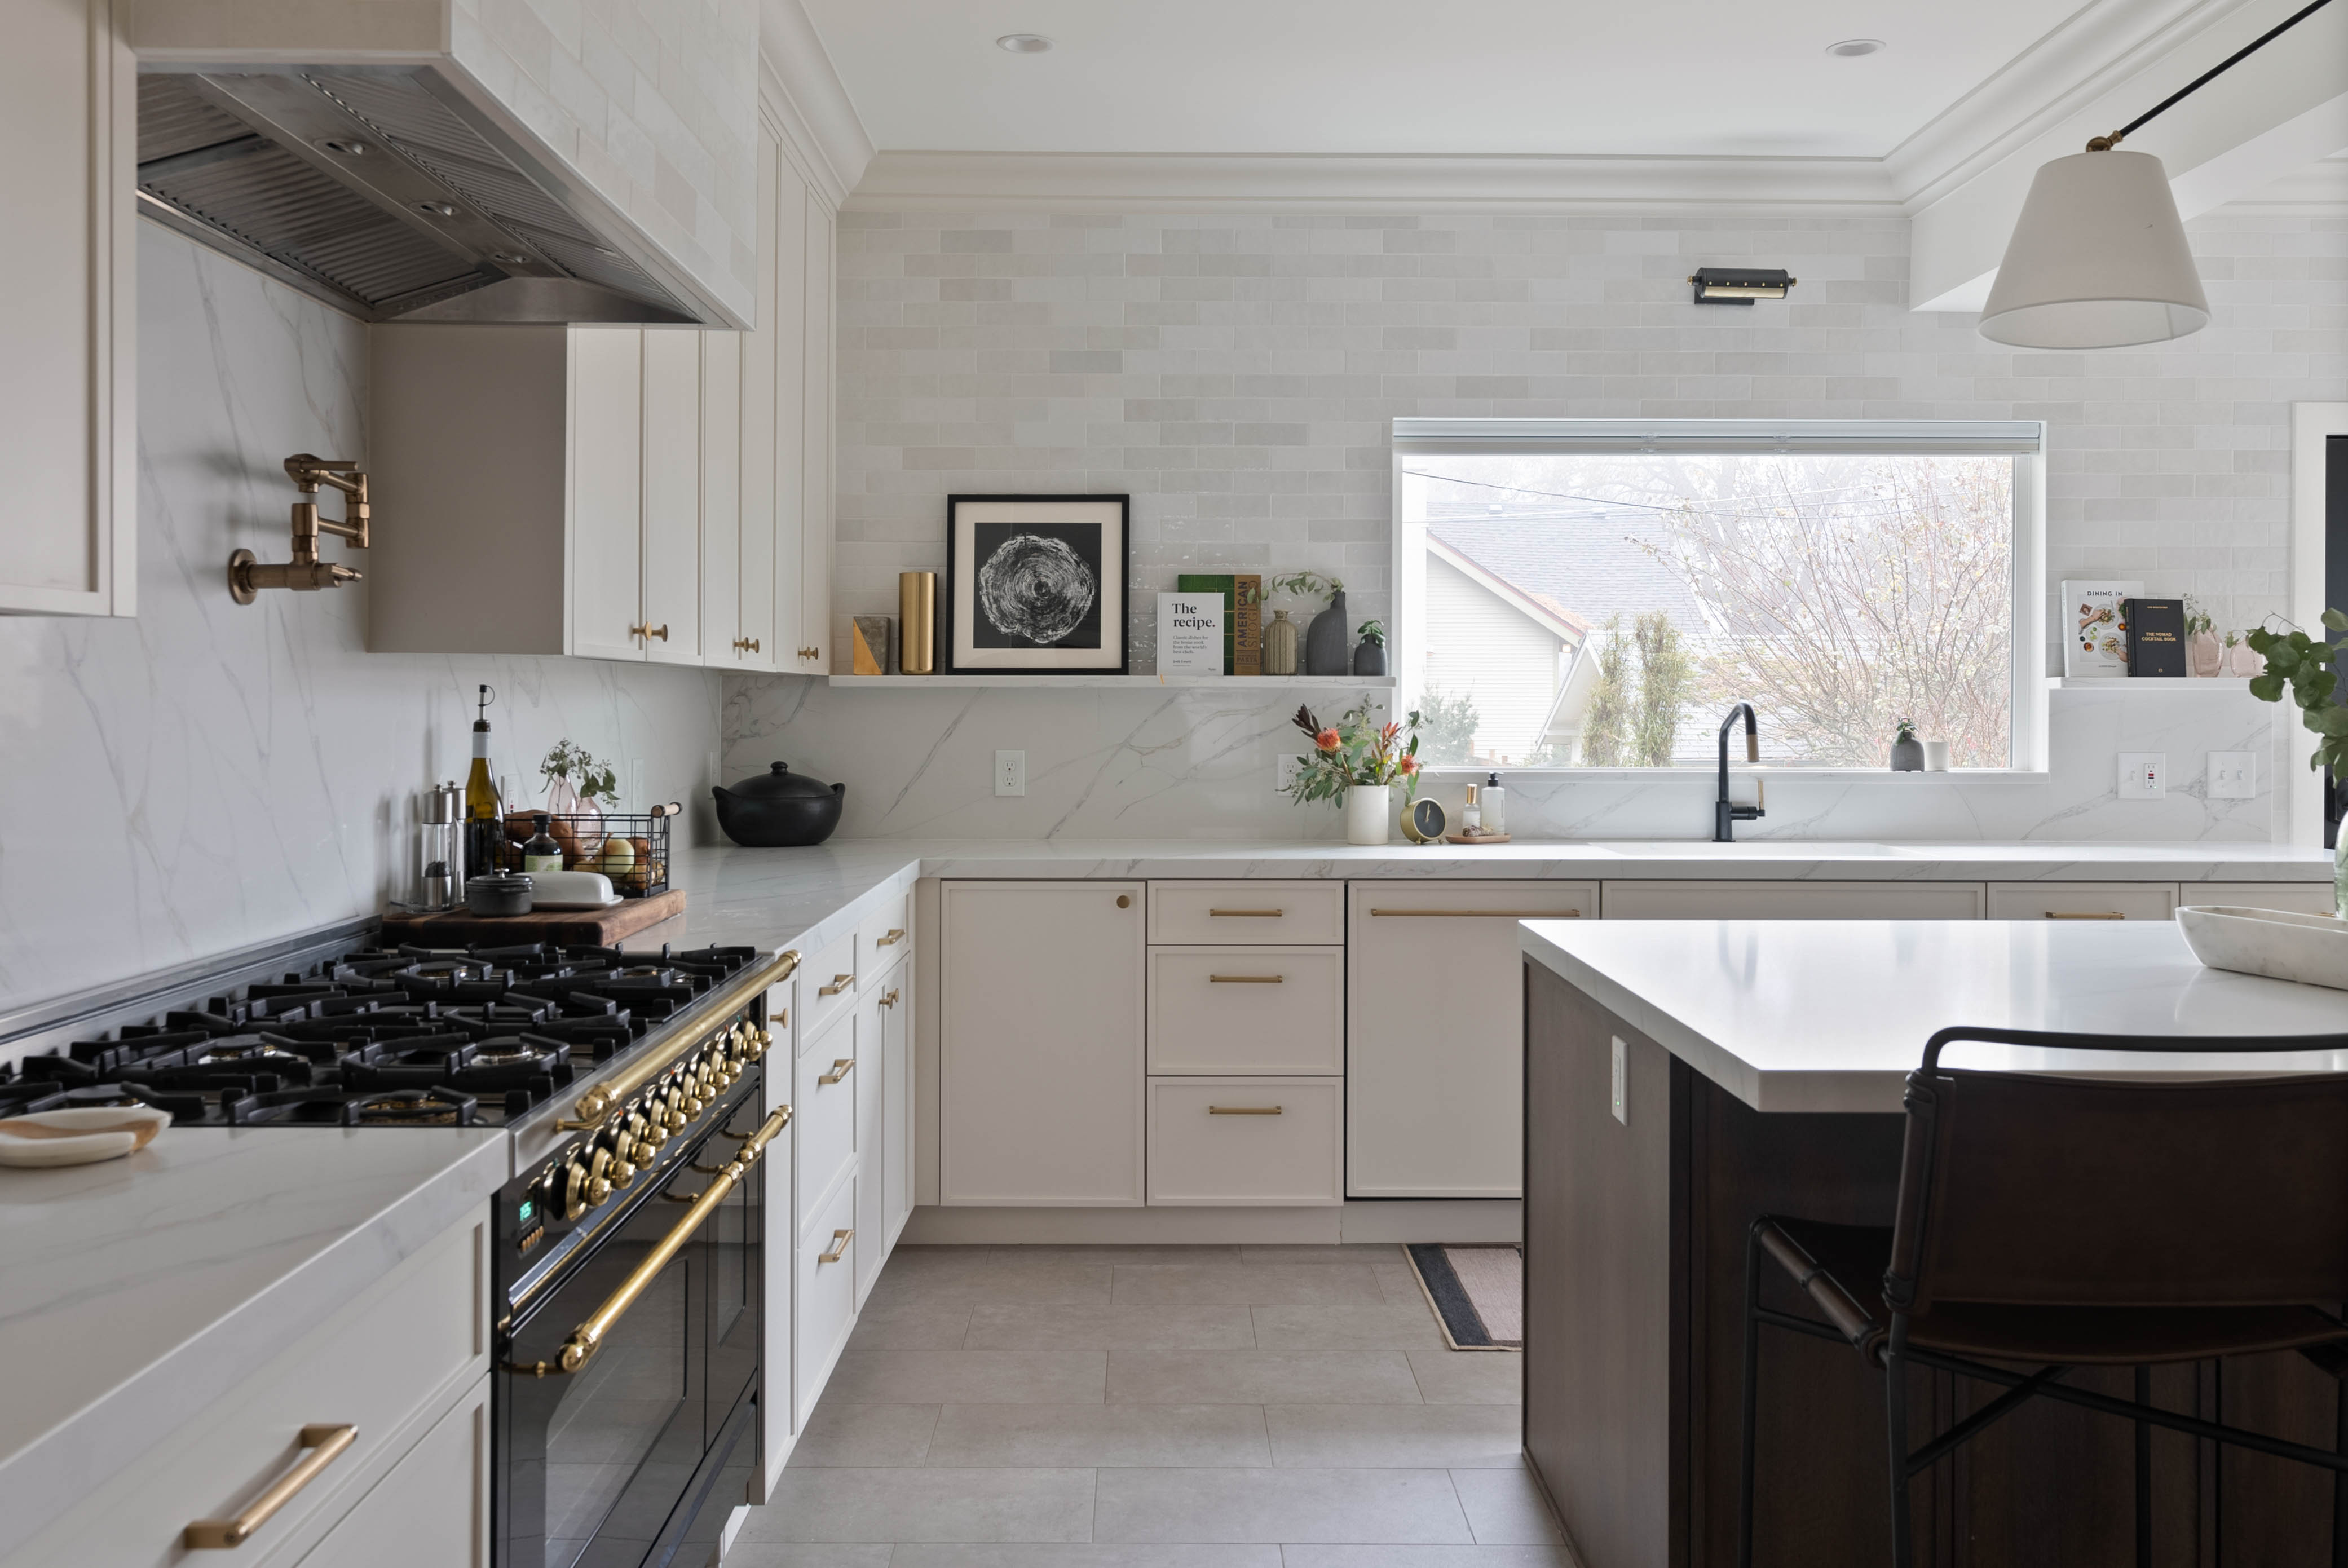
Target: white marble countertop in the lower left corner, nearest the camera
[{"x": 142, "y": 1290}]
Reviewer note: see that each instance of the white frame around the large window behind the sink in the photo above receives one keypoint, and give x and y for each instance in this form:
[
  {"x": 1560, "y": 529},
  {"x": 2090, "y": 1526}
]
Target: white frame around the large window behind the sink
[{"x": 2023, "y": 440}]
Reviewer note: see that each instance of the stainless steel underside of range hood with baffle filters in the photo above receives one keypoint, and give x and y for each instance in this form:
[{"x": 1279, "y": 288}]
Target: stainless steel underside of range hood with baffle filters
[{"x": 386, "y": 194}]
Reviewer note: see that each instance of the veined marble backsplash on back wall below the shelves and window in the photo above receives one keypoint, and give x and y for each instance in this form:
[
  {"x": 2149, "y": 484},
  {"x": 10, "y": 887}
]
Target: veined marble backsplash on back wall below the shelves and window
[{"x": 1199, "y": 764}]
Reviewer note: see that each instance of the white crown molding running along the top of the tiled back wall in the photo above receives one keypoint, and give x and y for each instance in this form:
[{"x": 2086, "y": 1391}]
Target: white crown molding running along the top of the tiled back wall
[{"x": 1368, "y": 184}]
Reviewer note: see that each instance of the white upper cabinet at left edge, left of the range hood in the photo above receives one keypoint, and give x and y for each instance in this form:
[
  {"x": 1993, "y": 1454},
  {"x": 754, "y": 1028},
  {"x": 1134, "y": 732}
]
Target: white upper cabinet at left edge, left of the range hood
[{"x": 67, "y": 313}]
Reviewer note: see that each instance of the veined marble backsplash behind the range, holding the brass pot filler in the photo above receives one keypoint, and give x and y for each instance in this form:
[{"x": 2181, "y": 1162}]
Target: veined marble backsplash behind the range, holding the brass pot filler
[{"x": 212, "y": 776}]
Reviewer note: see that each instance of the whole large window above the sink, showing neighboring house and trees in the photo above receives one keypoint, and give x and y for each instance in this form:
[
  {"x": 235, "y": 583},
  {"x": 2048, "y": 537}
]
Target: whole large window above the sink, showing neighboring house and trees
[{"x": 1598, "y": 593}]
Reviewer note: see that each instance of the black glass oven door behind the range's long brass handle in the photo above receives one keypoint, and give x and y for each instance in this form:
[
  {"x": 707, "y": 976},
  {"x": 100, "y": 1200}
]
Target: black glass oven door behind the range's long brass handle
[{"x": 600, "y": 1466}]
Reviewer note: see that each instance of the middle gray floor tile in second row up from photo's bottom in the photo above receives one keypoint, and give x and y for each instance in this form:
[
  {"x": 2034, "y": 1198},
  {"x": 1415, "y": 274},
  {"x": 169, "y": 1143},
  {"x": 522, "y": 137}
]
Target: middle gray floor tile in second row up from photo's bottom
[{"x": 1278, "y": 1506}]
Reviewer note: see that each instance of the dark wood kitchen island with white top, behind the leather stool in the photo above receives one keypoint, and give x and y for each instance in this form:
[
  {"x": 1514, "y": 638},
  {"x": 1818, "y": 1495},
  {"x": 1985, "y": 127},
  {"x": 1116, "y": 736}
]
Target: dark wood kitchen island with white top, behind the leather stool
[{"x": 1762, "y": 1074}]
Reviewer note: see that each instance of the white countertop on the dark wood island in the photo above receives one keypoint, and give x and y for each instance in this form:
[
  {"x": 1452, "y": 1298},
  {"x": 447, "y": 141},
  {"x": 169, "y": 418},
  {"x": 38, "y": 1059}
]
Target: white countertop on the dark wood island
[{"x": 1830, "y": 1015}]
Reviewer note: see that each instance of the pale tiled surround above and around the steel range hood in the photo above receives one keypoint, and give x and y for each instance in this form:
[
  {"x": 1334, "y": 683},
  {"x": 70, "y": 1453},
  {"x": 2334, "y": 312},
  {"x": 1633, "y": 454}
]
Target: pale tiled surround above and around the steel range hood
[{"x": 647, "y": 116}]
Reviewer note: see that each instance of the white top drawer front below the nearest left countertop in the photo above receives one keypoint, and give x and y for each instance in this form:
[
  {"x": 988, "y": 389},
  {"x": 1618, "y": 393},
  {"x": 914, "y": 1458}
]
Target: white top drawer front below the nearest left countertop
[{"x": 375, "y": 1365}]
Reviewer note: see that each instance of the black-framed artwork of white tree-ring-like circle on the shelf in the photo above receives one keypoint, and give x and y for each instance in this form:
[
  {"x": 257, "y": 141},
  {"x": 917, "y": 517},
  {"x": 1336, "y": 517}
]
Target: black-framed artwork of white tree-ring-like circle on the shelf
[{"x": 1037, "y": 586}]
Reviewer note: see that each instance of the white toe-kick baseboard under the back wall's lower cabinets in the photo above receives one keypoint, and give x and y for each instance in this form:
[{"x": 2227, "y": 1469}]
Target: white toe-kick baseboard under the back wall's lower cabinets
[{"x": 1358, "y": 1222}]
